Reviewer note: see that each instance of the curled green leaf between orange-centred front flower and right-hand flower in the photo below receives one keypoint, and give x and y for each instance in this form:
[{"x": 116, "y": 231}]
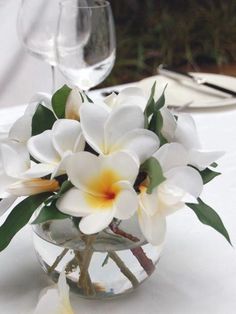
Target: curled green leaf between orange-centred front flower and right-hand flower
[{"x": 154, "y": 171}]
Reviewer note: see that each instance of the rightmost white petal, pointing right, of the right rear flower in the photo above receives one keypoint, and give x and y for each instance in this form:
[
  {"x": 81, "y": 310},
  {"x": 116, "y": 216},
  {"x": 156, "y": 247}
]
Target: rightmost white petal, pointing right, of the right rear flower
[{"x": 201, "y": 159}]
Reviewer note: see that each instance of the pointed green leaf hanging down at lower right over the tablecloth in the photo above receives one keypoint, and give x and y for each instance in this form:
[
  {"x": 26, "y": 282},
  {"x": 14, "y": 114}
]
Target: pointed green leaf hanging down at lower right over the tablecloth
[{"x": 209, "y": 217}]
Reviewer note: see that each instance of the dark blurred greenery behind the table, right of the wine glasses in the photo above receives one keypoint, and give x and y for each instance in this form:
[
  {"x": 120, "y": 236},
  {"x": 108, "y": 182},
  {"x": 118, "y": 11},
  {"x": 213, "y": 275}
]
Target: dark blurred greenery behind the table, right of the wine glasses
[{"x": 187, "y": 34}]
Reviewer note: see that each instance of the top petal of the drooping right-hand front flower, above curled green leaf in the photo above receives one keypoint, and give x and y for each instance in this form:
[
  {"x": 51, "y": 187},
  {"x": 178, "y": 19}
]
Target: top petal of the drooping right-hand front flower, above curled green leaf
[{"x": 171, "y": 155}]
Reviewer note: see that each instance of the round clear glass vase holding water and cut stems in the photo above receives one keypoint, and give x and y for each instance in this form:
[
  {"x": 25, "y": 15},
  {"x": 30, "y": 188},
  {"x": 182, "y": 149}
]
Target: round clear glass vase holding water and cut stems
[{"x": 105, "y": 265}]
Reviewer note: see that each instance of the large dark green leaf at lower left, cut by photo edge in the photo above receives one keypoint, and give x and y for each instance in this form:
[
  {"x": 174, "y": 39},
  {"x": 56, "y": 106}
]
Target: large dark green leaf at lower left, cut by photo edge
[{"x": 19, "y": 217}]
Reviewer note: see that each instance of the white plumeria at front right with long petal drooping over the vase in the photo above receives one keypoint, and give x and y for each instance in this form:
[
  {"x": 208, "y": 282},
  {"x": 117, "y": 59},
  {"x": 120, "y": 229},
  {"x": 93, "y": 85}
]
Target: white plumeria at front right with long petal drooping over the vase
[{"x": 182, "y": 184}]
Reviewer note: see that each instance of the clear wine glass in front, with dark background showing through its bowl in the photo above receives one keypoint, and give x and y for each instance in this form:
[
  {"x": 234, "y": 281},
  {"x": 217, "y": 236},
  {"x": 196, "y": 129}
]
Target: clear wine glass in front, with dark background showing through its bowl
[{"x": 85, "y": 42}]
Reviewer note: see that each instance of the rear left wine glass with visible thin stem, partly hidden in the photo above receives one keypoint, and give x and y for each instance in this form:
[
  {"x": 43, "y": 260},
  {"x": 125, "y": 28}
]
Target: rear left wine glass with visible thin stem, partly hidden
[{"x": 37, "y": 27}]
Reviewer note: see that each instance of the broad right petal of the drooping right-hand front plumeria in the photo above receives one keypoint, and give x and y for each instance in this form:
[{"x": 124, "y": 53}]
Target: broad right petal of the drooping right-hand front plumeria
[{"x": 186, "y": 178}]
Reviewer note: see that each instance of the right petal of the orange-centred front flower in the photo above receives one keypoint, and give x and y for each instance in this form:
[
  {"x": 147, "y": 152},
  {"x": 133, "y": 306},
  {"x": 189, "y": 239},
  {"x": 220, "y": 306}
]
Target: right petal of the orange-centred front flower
[{"x": 126, "y": 202}]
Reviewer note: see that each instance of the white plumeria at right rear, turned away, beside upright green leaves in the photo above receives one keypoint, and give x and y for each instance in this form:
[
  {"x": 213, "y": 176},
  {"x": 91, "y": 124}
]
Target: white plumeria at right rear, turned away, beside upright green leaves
[{"x": 184, "y": 131}]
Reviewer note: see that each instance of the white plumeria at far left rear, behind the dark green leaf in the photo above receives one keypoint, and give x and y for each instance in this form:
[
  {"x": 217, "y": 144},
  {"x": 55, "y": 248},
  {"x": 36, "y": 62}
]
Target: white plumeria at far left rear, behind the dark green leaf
[{"x": 22, "y": 128}]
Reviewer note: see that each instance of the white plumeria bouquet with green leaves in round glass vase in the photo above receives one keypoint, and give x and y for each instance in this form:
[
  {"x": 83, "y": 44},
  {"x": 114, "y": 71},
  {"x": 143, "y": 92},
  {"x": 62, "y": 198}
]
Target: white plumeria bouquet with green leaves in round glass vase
[{"x": 99, "y": 179}]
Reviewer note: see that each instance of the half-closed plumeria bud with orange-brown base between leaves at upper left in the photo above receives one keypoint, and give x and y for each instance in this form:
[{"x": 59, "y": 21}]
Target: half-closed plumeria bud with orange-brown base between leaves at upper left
[{"x": 74, "y": 102}]
